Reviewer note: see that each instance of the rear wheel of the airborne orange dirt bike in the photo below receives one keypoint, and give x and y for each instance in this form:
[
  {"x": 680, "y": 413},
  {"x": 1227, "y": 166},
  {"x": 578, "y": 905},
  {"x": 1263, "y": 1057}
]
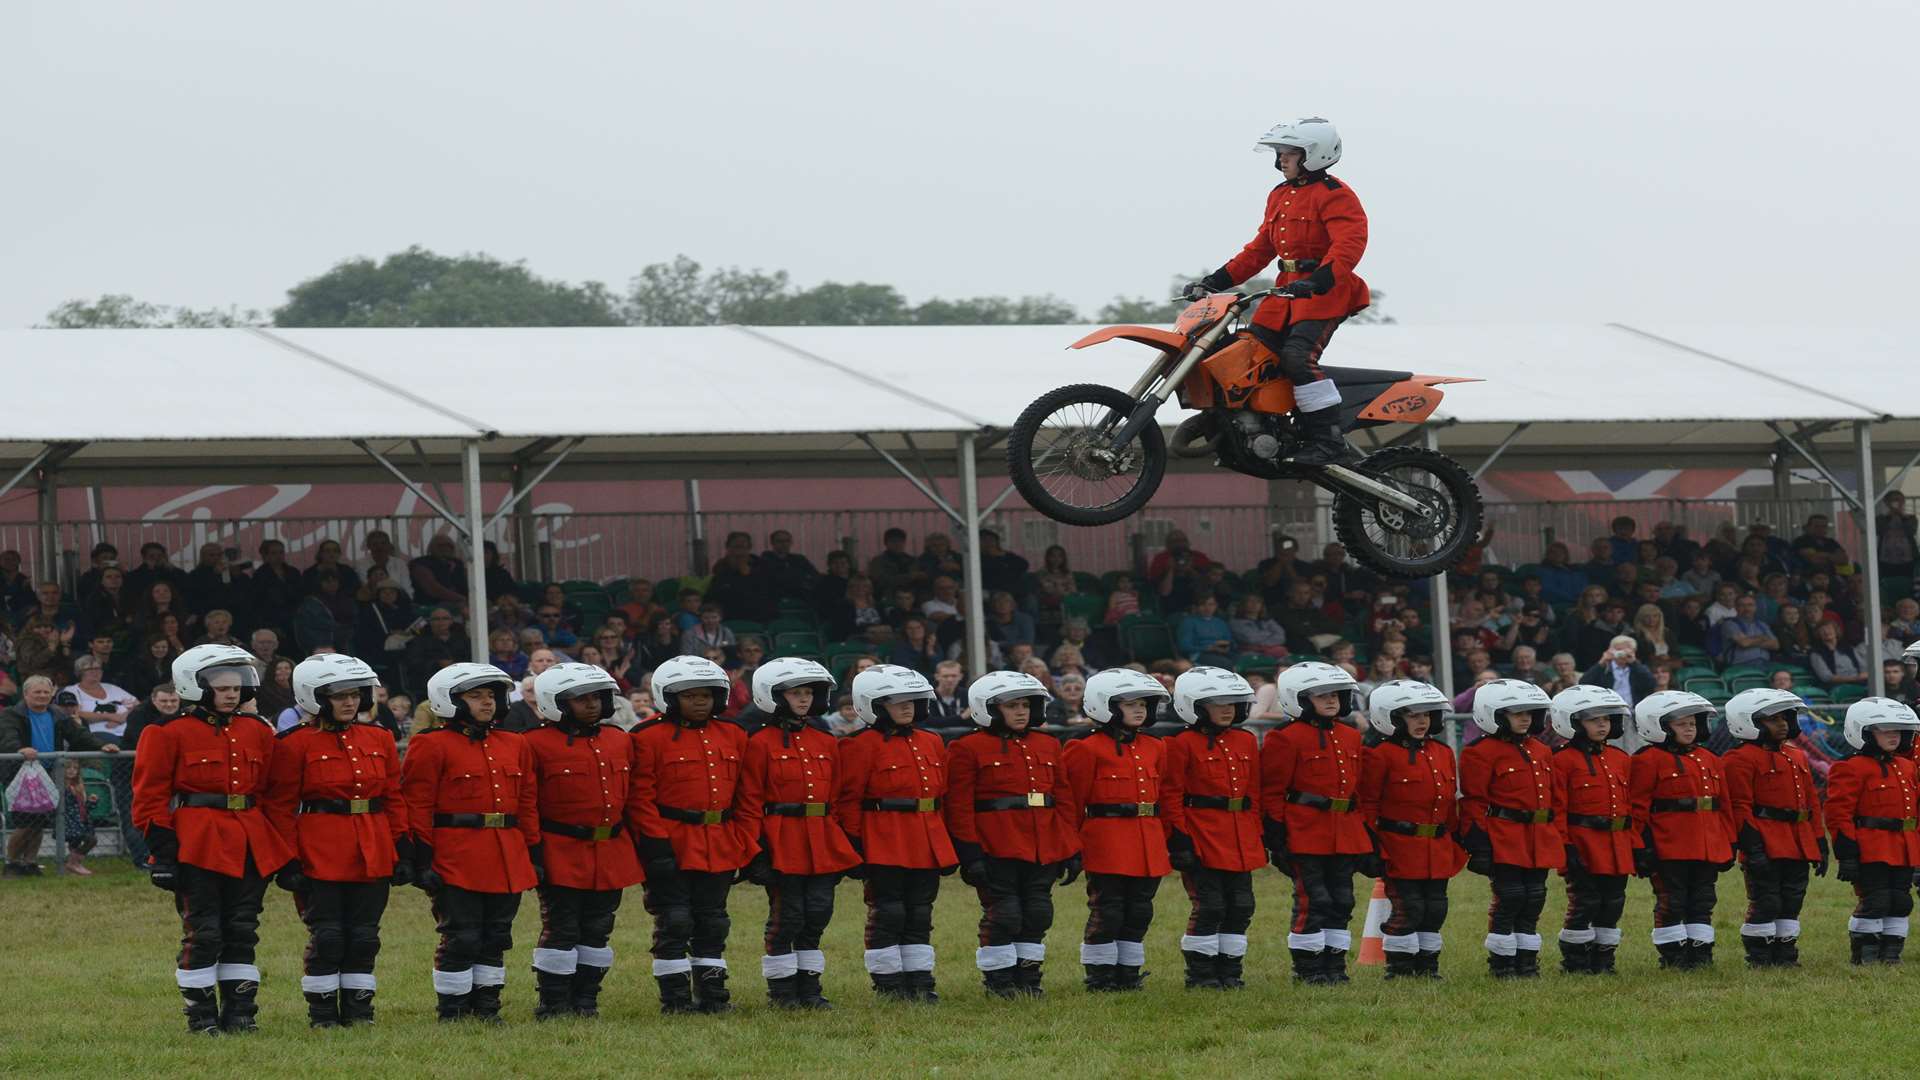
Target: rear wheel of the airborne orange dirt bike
[{"x": 1391, "y": 541}]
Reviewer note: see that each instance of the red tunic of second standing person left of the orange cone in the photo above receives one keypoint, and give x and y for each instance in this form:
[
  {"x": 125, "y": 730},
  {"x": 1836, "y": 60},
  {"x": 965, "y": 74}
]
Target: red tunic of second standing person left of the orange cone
[{"x": 1214, "y": 768}]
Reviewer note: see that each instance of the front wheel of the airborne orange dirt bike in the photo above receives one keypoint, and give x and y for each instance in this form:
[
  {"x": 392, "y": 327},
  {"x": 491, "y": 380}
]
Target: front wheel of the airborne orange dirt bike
[{"x": 1063, "y": 462}]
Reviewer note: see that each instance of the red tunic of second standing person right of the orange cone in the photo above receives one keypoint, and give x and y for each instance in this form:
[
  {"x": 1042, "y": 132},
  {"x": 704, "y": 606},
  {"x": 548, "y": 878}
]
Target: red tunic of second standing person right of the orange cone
[{"x": 1516, "y": 777}]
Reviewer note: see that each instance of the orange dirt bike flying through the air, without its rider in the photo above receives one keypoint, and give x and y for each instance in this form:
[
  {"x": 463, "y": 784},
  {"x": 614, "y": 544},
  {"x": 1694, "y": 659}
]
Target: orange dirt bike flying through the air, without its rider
[{"x": 1093, "y": 454}]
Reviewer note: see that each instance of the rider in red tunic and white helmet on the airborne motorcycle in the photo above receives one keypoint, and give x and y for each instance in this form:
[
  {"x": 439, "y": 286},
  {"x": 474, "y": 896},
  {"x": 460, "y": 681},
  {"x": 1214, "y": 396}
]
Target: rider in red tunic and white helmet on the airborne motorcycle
[{"x": 1316, "y": 228}]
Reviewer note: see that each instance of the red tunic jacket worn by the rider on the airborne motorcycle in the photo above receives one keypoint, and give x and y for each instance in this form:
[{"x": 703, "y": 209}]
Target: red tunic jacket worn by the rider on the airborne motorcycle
[{"x": 1318, "y": 220}]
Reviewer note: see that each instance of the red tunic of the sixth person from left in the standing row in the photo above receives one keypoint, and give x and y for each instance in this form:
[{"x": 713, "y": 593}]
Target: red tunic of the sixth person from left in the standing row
[{"x": 796, "y": 768}]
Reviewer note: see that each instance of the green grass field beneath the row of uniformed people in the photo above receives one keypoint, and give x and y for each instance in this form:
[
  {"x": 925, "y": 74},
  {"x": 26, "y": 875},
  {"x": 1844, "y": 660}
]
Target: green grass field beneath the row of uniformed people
[{"x": 91, "y": 994}]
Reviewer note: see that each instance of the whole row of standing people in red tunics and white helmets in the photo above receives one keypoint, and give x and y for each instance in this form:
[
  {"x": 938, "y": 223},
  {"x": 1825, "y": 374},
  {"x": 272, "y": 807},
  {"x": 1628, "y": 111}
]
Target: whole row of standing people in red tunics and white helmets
[{"x": 688, "y": 806}]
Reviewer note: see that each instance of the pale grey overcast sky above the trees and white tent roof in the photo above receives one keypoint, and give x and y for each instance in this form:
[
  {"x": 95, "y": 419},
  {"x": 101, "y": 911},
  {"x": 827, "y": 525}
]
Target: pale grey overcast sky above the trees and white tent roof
[{"x": 1637, "y": 162}]
